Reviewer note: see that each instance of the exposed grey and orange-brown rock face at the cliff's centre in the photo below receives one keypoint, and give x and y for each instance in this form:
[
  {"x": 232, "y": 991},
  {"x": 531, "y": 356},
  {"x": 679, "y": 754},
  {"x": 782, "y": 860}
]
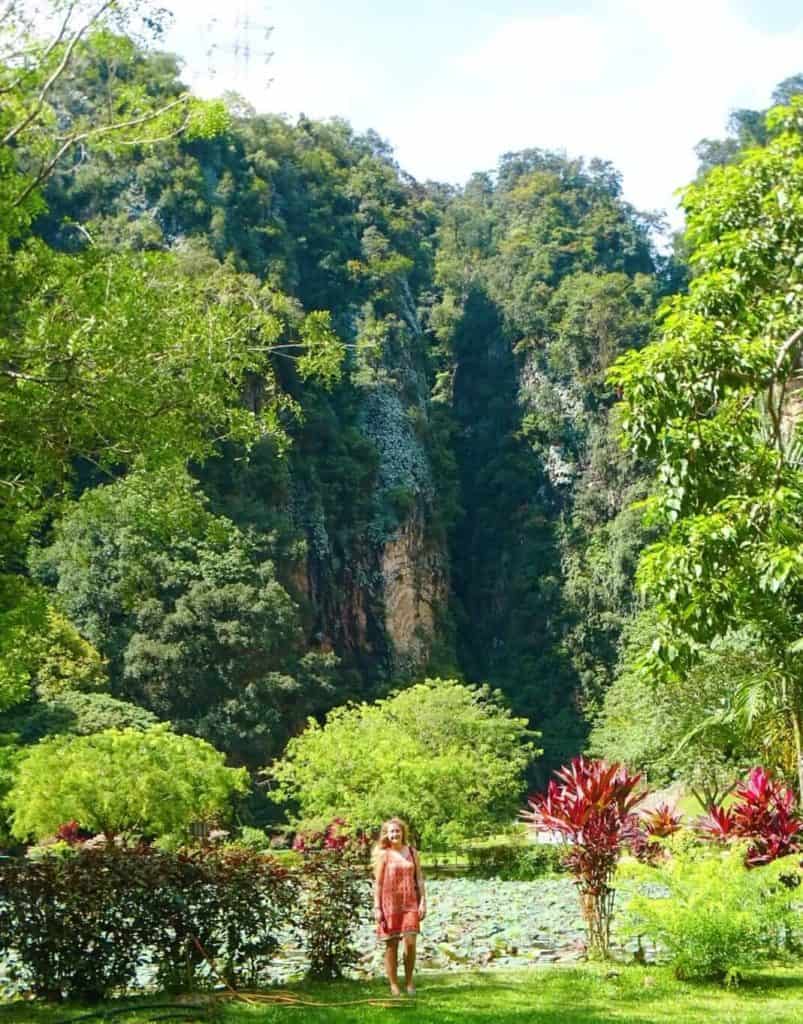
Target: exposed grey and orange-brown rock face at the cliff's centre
[{"x": 376, "y": 576}]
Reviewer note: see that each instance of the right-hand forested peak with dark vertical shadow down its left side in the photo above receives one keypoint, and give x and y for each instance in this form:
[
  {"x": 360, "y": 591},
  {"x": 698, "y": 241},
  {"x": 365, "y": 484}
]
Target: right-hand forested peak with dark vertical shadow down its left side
[{"x": 547, "y": 275}]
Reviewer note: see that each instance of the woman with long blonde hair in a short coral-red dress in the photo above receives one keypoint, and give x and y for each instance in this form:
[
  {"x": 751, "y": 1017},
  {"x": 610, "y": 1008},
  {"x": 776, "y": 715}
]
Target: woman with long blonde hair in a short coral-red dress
[{"x": 400, "y": 900}]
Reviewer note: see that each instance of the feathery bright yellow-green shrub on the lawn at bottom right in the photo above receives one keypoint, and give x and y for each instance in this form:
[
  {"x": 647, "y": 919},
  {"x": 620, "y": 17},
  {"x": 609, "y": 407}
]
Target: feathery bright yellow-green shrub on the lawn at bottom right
[{"x": 711, "y": 916}]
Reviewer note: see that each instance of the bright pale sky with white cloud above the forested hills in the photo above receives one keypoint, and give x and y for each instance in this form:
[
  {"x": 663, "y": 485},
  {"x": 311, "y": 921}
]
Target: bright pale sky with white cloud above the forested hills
[{"x": 454, "y": 86}]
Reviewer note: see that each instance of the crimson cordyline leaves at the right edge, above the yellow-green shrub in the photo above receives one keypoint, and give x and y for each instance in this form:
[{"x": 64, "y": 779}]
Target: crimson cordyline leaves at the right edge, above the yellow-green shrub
[{"x": 764, "y": 813}]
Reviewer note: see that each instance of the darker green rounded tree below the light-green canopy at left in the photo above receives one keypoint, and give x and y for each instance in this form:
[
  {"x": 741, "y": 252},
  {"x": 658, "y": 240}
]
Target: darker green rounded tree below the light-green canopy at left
[{"x": 190, "y": 613}]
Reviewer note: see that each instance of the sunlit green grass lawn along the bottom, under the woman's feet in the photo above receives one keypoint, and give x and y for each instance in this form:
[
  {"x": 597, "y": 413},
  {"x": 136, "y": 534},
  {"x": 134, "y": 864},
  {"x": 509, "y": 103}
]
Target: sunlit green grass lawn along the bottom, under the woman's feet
[{"x": 540, "y": 996}]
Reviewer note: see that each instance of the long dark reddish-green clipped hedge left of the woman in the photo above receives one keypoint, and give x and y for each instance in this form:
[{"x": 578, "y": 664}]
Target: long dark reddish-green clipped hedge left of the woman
[{"x": 80, "y": 923}]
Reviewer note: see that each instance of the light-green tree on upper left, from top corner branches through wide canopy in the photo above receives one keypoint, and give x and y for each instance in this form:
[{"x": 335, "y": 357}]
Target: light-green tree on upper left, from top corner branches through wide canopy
[{"x": 112, "y": 357}]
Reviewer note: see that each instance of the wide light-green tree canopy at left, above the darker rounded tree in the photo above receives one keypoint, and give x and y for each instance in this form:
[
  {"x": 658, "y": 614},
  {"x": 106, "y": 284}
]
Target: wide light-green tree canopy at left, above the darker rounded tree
[{"x": 114, "y": 359}]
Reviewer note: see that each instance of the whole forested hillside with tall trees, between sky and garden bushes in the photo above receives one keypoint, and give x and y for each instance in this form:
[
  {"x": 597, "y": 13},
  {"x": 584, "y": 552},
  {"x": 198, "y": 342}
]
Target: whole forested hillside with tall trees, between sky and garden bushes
[{"x": 284, "y": 430}]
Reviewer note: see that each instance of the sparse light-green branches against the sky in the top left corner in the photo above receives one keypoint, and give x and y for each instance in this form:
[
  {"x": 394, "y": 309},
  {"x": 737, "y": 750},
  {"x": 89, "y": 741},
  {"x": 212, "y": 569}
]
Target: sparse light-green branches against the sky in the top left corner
[{"x": 43, "y": 60}]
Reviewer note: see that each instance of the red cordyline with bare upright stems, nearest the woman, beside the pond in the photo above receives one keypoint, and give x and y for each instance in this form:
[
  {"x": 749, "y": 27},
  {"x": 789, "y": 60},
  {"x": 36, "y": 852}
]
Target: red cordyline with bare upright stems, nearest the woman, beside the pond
[{"x": 591, "y": 804}]
